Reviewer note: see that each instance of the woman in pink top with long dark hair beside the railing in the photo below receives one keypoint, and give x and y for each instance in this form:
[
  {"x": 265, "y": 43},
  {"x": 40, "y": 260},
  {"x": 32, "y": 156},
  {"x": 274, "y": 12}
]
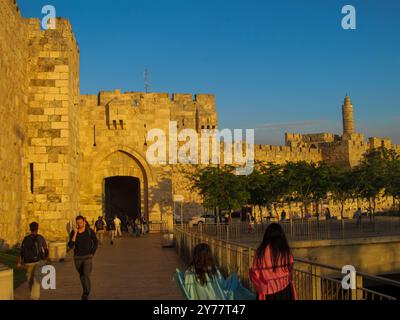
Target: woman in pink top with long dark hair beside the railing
[{"x": 272, "y": 268}]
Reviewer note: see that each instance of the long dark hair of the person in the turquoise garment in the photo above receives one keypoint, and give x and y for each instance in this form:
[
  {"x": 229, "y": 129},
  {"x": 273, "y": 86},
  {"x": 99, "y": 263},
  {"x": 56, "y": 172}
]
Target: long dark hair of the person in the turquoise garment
[{"x": 203, "y": 262}]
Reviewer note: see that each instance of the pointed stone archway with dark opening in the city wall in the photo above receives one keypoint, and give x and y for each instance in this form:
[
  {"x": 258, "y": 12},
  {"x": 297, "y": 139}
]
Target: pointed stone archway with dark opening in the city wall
[{"x": 116, "y": 183}]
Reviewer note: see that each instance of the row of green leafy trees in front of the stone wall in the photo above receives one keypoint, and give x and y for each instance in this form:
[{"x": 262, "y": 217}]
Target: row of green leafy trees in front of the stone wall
[{"x": 272, "y": 184}]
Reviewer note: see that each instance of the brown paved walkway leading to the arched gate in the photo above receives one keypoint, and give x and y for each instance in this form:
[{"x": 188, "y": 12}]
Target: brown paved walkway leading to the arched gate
[{"x": 134, "y": 268}]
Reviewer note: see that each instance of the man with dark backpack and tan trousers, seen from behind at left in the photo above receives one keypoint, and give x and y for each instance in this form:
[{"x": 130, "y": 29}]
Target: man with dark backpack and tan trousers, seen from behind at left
[{"x": 33, "y": 250}]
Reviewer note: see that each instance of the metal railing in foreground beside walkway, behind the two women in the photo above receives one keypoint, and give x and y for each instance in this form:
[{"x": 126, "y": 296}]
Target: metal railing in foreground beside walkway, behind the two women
[{"x": 313, "y": 281}]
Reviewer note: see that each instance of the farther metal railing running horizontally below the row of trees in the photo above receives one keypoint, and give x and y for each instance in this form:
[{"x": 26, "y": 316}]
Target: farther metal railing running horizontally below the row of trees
[{"x": 302, "y": 230}]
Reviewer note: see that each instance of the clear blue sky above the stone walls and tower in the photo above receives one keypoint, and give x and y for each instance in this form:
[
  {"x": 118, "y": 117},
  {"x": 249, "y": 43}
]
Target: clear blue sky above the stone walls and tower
[{"x": 275, "y": 66}]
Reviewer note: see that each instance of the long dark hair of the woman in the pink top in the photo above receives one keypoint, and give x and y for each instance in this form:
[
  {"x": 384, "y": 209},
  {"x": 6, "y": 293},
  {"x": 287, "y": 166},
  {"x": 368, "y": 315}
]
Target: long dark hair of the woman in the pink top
[{"x": 275, "y": 239}]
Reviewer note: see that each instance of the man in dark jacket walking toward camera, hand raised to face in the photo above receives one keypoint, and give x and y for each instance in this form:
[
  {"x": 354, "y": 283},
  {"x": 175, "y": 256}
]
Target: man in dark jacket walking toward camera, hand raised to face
[{"x": 84, "y": 242}]
